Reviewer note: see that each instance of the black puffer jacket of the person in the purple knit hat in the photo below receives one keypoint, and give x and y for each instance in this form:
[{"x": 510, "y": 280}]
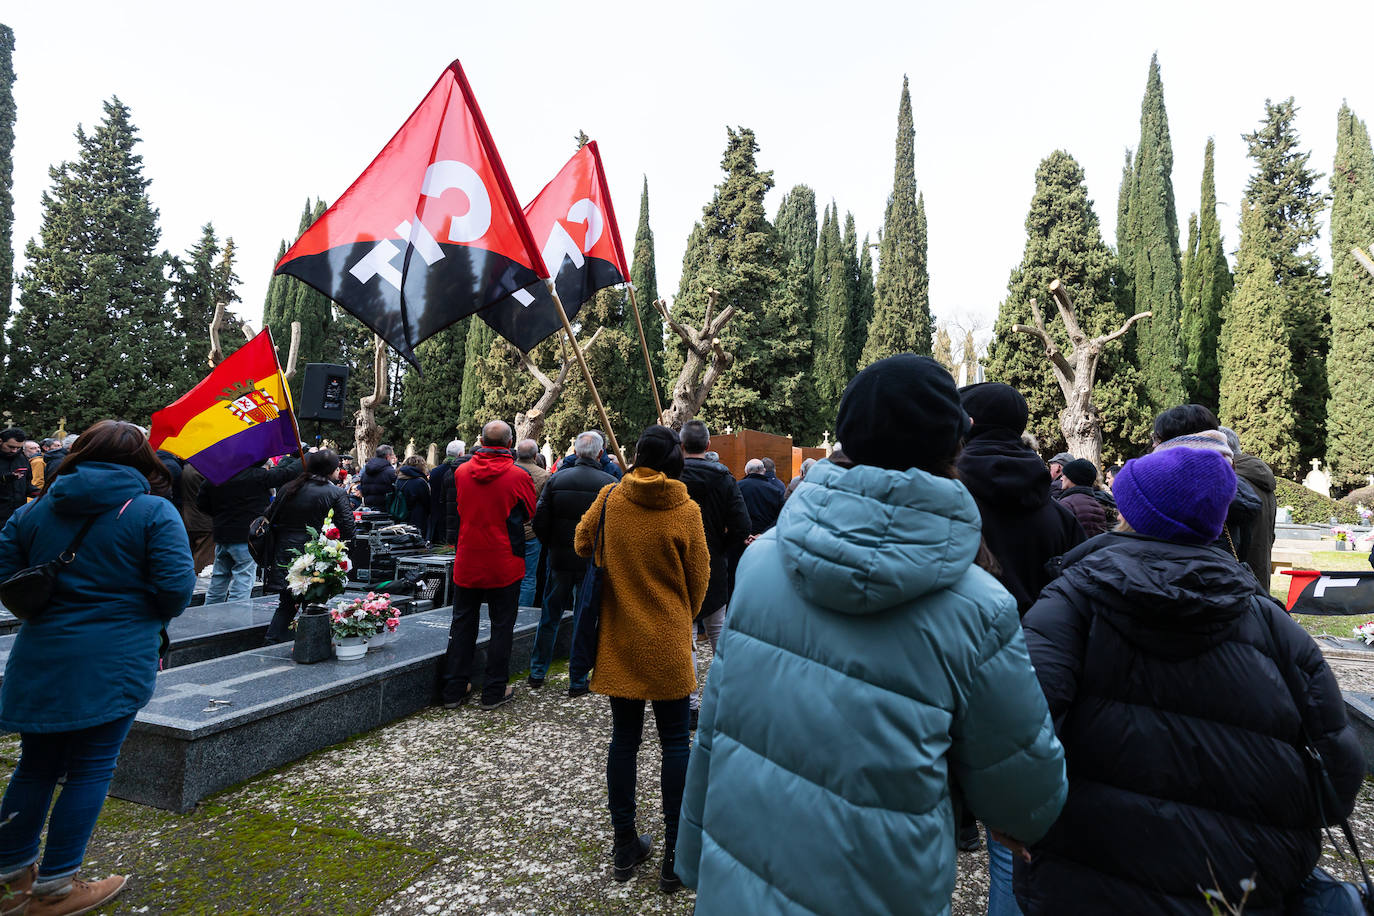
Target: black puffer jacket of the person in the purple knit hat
[{"x": 1181, "y": 734}]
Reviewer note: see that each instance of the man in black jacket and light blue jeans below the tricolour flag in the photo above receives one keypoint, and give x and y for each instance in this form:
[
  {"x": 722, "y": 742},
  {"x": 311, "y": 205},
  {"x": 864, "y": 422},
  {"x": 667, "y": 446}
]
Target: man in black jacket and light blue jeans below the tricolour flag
[{"x": 233, "y": 506}]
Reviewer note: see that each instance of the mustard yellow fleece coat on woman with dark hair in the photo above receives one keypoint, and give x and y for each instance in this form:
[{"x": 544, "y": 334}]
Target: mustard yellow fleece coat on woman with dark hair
[{"x": 657, "y": 571}]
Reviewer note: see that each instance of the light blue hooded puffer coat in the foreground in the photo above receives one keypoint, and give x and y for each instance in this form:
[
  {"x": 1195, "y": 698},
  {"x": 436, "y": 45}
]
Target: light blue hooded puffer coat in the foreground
[{"x": 866, "y": 665}]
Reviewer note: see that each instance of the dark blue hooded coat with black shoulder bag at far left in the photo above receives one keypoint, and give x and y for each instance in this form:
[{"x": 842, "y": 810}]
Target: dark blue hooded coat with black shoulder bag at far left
[{"x": 93, "y": 656}]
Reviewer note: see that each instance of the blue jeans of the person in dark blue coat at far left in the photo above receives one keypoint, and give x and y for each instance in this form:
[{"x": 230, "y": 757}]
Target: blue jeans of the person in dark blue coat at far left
[{"x": 87, "y": 759}]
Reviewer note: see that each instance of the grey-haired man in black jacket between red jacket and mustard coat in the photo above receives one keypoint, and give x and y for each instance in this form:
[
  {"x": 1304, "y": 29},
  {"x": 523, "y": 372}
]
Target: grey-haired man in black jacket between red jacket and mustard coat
[{"x": 567, "y": 498}]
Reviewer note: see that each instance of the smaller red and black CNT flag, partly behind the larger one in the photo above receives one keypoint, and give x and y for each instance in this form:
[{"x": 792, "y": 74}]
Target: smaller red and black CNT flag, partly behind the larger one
[{"x": 582, "y": 251}]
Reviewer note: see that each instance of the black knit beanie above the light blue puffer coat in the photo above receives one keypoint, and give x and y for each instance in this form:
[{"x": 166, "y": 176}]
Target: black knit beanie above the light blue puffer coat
[{"x": 902, "y": 413}]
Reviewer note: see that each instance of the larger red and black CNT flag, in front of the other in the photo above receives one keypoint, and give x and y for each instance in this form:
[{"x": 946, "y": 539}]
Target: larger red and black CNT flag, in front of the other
[{"x": 429, "y": 234}]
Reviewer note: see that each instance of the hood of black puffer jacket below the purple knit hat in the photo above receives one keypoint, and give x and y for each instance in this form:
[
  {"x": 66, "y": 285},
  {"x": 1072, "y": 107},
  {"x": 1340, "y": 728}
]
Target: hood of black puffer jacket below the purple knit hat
[{"x": 1173, "y": 601}]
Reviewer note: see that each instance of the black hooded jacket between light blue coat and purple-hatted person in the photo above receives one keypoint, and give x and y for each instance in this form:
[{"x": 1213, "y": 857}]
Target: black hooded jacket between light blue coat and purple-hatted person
[{"x": 1022, "y": 525}]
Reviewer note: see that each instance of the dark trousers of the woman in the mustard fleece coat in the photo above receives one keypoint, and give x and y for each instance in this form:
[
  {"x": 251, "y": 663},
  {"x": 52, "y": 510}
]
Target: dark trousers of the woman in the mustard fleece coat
[{"x": 627, "y": 729}]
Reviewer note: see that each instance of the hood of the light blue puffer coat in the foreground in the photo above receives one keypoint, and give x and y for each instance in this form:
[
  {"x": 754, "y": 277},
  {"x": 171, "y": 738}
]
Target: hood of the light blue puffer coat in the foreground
[{"x": 866, "y": 539}]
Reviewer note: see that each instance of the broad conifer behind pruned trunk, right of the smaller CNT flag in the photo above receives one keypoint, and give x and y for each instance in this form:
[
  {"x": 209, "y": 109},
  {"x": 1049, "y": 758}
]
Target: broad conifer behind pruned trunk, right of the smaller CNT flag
[{"x": 736, "y": 251}]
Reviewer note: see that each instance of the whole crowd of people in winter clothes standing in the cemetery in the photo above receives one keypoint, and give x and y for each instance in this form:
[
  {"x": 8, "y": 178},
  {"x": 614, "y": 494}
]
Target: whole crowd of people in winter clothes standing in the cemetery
[{"x": 928, "y": 631}]
